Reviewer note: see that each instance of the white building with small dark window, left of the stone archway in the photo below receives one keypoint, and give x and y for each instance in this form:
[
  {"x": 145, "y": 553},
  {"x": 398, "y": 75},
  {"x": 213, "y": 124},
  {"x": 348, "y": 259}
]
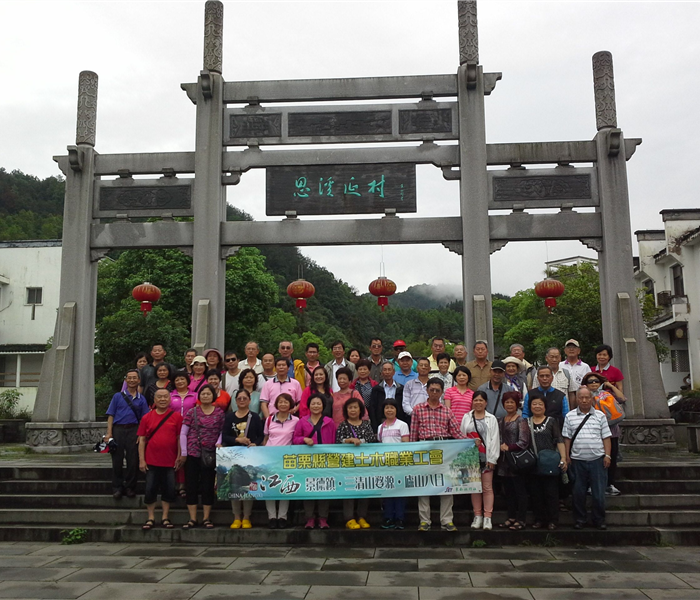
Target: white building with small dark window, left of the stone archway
[{"x": 30, "y": 273}]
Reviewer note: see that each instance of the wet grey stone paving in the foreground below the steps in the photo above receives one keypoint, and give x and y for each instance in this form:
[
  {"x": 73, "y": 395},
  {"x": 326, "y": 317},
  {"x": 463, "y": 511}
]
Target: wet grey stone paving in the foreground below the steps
[{"x": 159, "y": 571}]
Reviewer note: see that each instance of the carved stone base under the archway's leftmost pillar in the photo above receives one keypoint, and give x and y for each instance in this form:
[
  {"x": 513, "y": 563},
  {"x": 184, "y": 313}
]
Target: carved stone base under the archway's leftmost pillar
[{"x": 61, "y": 438}]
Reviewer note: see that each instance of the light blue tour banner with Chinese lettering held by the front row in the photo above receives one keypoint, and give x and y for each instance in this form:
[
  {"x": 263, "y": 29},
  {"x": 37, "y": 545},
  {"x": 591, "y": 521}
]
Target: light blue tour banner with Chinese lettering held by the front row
[{"x": 328, "y": 471}]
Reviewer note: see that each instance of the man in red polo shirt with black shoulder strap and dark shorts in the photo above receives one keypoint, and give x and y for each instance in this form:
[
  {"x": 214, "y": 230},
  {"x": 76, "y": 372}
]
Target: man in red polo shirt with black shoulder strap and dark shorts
[{"x": 159, "y": 455}]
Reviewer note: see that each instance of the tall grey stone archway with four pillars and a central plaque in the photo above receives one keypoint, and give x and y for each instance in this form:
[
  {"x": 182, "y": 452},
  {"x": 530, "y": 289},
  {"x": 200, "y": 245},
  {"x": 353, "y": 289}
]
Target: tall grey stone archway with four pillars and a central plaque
[{"x": 370, "y": 180}]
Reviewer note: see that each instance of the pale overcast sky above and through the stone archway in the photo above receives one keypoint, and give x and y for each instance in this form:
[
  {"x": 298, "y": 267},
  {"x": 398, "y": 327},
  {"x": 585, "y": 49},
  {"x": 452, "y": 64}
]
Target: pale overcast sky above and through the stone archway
[{"x": 143, "y": 50}]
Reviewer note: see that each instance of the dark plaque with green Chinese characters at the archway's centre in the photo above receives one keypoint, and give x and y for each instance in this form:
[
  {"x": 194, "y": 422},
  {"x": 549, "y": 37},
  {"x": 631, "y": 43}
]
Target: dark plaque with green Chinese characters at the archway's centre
[{"x": 341, "y": 189}]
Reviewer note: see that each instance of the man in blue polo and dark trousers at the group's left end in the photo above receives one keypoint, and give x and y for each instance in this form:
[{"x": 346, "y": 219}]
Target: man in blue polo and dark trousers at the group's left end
[{"x": 124, "y": 414}]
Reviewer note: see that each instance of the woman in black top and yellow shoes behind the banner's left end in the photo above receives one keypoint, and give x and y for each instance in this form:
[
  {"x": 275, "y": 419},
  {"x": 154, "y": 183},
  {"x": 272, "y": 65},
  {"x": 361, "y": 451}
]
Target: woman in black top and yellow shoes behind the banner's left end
[{"x": 242, "y": 427}]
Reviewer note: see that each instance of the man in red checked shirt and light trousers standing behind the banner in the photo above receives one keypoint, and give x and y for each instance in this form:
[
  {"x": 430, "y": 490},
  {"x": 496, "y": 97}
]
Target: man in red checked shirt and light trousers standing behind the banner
[{"x": 432, "y": 420}]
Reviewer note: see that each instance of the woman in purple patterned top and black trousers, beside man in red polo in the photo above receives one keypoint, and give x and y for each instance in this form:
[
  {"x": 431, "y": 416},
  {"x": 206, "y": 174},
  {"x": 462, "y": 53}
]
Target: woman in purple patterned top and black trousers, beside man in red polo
[{"x": 199, "y": 437}]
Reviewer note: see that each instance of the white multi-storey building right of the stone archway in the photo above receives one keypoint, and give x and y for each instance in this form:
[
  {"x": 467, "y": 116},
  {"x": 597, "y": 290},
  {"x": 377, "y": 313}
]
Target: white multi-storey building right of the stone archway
[{"x": 668, "y": 267}]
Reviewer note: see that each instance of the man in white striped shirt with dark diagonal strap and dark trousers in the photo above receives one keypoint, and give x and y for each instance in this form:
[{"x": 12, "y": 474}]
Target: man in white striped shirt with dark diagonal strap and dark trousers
[{"x": 587, "y": 441}]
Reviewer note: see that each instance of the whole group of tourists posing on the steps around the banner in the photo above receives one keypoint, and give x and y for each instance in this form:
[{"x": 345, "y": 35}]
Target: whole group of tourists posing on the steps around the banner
[{"x": 534, "y": 427}]
